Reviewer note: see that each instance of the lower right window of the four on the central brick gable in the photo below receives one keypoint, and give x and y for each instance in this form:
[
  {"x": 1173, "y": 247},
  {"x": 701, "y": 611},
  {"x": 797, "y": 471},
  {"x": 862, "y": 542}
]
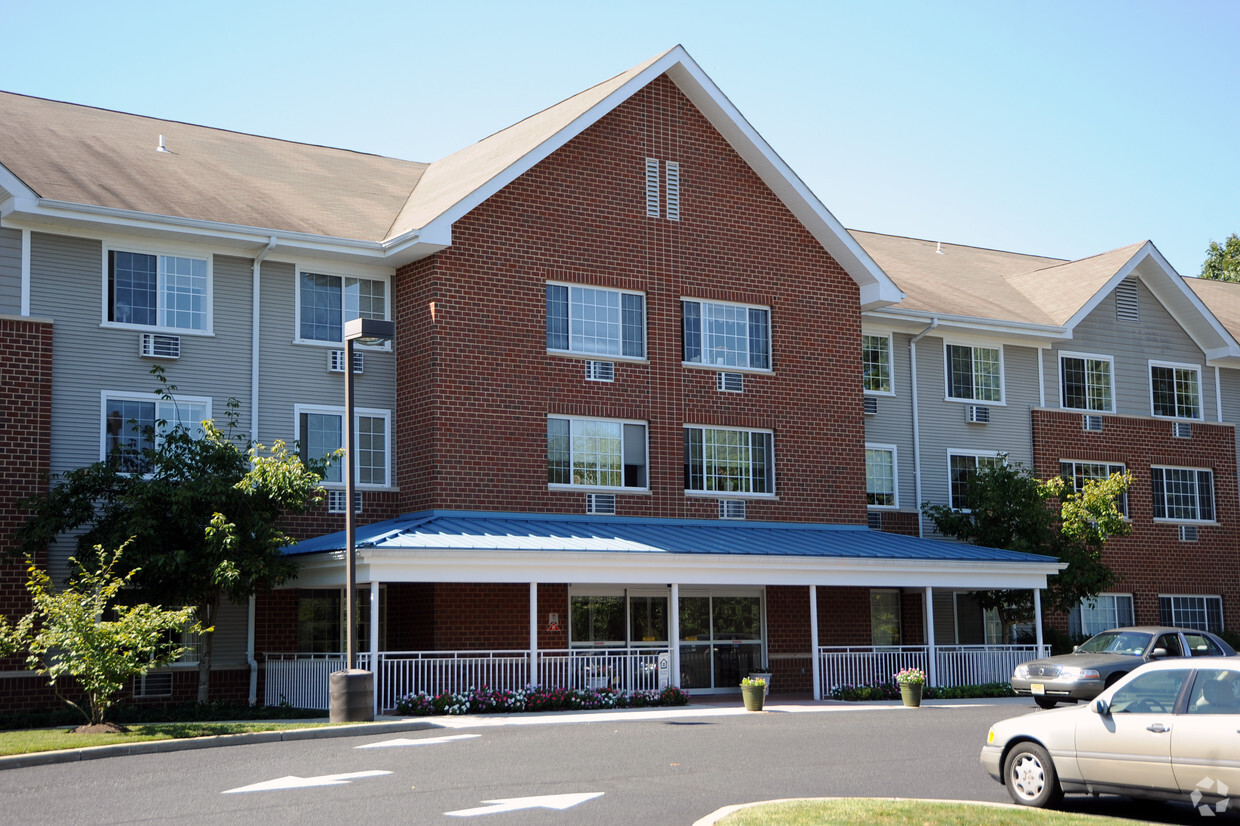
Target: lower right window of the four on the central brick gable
[{"x": 730, "y": 462}]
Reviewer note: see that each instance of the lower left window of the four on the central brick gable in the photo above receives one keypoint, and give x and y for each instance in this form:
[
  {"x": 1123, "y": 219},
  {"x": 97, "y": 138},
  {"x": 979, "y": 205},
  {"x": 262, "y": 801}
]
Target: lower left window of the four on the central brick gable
[{"x": 597, "y": 453}]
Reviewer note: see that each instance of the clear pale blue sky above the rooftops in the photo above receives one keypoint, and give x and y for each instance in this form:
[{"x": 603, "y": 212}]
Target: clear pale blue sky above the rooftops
[{"x": 1047, "y": 127}]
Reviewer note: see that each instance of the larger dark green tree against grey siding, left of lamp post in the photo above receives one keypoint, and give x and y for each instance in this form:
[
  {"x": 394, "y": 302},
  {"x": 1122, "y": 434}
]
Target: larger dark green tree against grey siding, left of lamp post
[{"x": 204, "y": 523}]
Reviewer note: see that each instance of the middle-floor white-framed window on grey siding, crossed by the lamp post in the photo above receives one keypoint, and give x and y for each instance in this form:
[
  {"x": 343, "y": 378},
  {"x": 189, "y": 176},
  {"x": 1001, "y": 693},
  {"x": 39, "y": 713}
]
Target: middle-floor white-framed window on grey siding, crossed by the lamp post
[{"x": 321, "y": 431}]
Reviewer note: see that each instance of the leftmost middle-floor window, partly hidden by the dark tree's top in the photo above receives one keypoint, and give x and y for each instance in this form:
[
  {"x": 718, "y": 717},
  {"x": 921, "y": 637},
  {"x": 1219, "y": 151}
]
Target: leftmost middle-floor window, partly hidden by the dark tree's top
[{"x": 135, "y": 424}]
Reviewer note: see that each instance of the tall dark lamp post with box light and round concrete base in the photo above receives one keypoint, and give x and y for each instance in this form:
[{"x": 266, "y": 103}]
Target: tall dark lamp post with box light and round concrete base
[{"x": 352, "y": 693}]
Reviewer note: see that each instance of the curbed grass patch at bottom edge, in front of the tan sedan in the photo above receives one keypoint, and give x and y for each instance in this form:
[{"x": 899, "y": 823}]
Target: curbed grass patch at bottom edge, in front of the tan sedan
[{"x": 903, "y": 813}]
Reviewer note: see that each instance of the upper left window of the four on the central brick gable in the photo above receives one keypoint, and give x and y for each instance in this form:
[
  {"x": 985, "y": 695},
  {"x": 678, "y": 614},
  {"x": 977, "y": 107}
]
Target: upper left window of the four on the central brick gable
[{"x": 596, "y": 322}]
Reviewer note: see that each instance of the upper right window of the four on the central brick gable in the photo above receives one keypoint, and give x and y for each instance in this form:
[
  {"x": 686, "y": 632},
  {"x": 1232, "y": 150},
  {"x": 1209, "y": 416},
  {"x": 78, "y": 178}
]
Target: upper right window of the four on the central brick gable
[{"x": 726, "y": 335}]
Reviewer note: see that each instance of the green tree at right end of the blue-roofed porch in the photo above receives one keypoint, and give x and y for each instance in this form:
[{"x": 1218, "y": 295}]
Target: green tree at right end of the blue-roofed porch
[{"x": 1011, "y": 509}]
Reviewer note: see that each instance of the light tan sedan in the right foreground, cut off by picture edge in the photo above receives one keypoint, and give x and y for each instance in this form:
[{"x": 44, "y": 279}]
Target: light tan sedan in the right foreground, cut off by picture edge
[{"x": 1167, "y": 731}]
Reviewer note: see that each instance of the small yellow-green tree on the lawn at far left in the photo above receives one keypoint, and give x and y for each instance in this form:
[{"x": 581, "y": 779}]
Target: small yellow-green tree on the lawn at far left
[{"x": 80, "y": 633}]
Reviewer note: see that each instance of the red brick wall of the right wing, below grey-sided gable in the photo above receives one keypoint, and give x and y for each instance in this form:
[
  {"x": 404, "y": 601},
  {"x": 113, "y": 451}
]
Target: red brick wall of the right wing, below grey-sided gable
[{"x": 1153, "y": 560}]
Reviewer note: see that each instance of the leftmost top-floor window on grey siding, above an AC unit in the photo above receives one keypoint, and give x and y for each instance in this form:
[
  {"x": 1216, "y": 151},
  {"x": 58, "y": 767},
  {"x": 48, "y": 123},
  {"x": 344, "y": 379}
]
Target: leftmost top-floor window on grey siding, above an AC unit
[{"x": 151, "y": 291}]
